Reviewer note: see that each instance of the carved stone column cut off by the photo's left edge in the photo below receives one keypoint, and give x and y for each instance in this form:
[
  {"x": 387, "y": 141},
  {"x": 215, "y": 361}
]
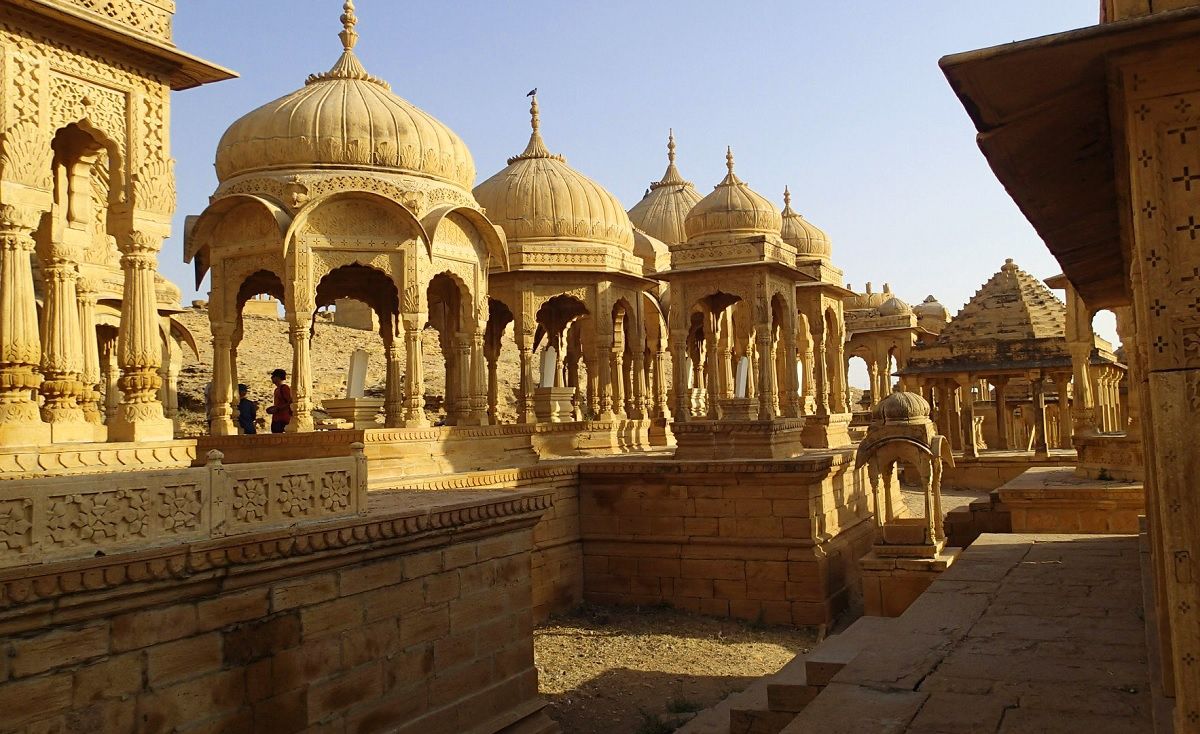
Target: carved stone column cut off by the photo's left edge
[{"x": 21, "y": 348}]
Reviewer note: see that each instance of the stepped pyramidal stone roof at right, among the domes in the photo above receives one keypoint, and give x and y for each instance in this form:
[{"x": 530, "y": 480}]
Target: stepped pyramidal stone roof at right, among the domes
[{"x": 1011, "y": 306}]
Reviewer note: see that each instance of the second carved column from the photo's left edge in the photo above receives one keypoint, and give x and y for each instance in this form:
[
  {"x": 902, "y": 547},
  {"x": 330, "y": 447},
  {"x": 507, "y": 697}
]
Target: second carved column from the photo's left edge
[{"x": 63, "y": 347}]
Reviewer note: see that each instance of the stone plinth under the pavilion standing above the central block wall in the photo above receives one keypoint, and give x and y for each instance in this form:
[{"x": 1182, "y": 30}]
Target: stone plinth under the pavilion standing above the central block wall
[{"x": 729, "y": 440}]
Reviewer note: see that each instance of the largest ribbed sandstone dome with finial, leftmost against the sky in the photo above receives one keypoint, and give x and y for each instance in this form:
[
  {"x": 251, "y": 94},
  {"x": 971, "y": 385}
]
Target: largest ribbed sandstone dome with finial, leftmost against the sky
[{"x": 345, "y": 118}]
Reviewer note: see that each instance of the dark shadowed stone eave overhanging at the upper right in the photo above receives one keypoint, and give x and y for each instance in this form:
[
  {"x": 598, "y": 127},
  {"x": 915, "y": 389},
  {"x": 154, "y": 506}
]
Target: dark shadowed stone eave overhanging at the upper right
[{"x": 1049, "y": 139}]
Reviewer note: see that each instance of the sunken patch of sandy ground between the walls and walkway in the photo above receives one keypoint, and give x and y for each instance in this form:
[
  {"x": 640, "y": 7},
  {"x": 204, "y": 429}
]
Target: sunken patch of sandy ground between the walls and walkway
[{"x": 611, "y": 670}]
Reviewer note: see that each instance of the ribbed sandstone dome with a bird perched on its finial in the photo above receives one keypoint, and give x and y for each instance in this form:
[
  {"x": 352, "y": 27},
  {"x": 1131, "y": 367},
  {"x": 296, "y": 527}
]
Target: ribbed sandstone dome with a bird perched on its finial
[{"x": 539, "y": 197}]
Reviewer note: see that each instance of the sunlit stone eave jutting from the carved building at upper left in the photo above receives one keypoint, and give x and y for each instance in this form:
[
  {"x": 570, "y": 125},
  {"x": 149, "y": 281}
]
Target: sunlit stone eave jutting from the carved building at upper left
[{"x": 187, "y": 71}]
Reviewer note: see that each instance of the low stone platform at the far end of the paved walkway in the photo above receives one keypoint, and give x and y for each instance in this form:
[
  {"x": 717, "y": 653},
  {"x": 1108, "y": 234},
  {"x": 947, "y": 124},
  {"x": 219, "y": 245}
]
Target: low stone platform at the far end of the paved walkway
[{"x": 1048, "y": 500}]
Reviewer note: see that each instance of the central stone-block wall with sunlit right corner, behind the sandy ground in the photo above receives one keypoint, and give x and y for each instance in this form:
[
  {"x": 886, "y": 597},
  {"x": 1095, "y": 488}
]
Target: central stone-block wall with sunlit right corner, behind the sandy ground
[{"x": 771, "y": 540}]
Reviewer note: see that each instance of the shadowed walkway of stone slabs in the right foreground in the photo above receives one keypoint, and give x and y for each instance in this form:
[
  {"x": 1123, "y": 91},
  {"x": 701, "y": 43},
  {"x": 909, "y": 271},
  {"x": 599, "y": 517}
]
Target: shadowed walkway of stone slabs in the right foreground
[{"x": 1024, "y": 634}]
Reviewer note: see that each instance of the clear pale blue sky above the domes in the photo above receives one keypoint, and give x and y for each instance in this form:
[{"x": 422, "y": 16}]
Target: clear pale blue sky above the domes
[{"x": 841, "y": 100}]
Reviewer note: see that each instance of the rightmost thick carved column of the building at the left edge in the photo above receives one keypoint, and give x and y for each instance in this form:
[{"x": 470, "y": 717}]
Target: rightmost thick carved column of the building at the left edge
[{"x": 140, "y": 418}]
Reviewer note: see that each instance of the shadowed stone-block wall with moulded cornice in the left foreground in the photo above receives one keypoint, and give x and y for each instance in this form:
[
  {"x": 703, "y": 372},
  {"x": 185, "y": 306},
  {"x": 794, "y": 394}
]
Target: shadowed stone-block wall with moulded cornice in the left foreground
[{"x": 417, "y": 617}]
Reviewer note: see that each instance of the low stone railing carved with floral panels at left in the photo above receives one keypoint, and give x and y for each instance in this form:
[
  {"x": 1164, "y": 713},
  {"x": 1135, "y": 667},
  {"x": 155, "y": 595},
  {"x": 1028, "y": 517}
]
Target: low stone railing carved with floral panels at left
[{"x": 73, "y": 518}]
